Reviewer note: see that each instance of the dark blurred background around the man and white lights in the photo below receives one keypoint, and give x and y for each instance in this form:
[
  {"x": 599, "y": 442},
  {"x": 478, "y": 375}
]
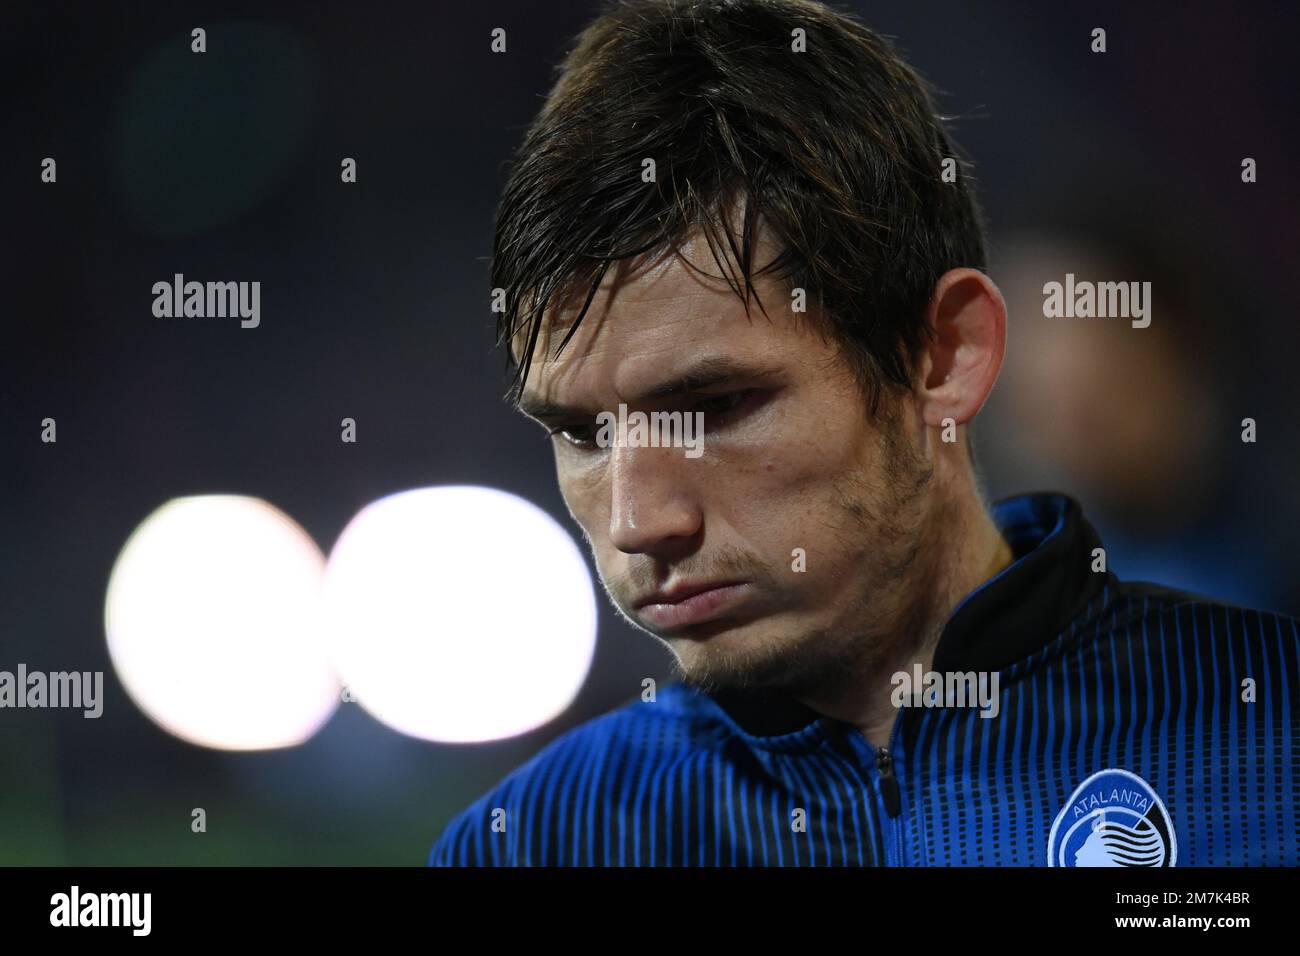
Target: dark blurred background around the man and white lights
[{"x": 375, "y": 305}]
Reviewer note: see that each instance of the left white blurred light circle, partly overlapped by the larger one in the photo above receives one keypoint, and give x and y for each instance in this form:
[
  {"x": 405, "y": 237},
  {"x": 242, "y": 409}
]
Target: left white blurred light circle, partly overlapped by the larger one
[{"x": 214, "y": 625}]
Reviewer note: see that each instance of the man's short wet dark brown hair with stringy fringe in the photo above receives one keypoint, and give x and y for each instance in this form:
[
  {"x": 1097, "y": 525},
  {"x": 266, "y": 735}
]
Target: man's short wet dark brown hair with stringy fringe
[{"x": 838, "y": 149}]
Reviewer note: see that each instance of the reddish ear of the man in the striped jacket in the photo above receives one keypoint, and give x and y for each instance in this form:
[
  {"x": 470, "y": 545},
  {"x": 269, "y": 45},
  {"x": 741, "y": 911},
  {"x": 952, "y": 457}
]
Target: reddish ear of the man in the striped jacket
[{"x": 964, "y": 353}]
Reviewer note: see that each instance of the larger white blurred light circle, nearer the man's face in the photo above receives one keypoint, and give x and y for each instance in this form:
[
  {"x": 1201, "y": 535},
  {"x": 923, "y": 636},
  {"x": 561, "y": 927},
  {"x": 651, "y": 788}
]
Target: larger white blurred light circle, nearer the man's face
[{"x": 460, "y": 615}]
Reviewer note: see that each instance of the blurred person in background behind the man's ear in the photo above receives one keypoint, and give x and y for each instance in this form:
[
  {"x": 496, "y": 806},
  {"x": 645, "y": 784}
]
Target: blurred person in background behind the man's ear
[{"x": 1143, "y": 425}]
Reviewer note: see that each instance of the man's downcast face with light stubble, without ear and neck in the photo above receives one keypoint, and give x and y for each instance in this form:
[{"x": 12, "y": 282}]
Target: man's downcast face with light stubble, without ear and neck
[{"x": 779, "y": 555}]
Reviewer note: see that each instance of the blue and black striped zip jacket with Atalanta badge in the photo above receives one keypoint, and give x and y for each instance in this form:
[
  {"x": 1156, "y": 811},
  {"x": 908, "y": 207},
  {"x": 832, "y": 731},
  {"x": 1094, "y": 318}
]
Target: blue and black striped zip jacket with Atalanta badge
[{"x": 1137, "y": 725}]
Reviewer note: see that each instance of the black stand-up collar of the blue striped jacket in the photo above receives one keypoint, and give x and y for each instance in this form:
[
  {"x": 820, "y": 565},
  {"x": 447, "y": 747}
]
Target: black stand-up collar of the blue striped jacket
[{"x": 1008, "y": 618}]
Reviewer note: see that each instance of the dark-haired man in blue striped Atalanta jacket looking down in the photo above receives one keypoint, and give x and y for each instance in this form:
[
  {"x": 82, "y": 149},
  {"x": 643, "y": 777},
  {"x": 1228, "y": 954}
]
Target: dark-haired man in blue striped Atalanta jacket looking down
[{"x": 744, "y": 214}]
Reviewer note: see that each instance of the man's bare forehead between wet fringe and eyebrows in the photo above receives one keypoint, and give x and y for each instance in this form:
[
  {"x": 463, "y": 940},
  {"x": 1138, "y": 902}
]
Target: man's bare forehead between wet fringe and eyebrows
[{"x": 652, "y": 319}]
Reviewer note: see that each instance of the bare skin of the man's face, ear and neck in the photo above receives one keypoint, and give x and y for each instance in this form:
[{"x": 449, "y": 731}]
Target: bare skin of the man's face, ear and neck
[{"x": 889, "y": 514}]
